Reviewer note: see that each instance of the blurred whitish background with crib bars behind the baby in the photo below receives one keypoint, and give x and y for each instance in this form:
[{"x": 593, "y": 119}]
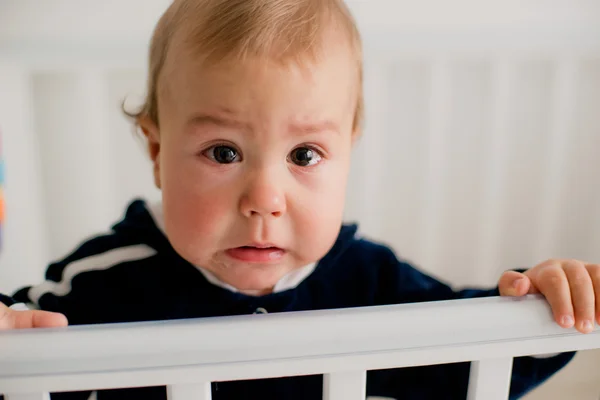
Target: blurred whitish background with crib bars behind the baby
[{"x": 480, "y": 151}]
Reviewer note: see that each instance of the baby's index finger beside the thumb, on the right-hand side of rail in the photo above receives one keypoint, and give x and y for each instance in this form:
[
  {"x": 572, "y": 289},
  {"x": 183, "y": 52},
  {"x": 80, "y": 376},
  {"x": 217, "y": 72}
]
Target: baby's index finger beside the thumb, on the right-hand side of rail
[{"x": 553, "y": 284}]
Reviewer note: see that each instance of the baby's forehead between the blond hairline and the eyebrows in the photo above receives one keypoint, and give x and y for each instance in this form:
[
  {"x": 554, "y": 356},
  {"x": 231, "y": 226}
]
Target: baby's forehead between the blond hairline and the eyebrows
[{"x": 261, "y": 92}]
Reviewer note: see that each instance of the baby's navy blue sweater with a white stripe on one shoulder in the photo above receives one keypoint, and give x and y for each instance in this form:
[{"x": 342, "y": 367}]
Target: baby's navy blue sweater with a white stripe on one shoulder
[{"x": 157, "y": 284}]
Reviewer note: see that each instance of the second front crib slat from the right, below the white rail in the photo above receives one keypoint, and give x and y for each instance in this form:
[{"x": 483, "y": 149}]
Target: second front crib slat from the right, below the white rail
[{"x": 350, "y": 385}]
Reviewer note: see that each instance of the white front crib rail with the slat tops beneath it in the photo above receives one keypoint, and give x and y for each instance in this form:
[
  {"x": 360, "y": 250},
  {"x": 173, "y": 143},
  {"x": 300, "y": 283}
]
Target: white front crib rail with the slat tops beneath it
[{"x": 187, "y": 355}]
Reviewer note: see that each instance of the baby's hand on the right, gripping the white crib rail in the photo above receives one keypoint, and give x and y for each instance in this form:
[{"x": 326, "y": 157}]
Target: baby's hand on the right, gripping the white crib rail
[{"x": 571, "y": 287}]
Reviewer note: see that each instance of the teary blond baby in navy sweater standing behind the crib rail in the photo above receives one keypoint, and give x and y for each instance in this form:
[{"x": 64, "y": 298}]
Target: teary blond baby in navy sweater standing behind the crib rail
[{"x": 252, "y": 110}]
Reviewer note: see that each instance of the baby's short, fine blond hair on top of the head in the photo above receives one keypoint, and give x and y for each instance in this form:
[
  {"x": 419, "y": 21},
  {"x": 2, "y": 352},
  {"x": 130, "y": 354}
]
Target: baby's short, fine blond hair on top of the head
[{"x": 285, "y": 30}]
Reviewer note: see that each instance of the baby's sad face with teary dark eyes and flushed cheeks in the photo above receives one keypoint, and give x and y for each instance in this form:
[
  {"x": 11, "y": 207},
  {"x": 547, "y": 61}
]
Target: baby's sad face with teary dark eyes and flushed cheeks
[{"x": 253, "y": 161}]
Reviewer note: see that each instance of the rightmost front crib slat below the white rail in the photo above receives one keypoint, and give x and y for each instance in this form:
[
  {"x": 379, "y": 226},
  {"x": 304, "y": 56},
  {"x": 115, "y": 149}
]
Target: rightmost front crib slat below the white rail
[{"x": 490, "y": 379}]
